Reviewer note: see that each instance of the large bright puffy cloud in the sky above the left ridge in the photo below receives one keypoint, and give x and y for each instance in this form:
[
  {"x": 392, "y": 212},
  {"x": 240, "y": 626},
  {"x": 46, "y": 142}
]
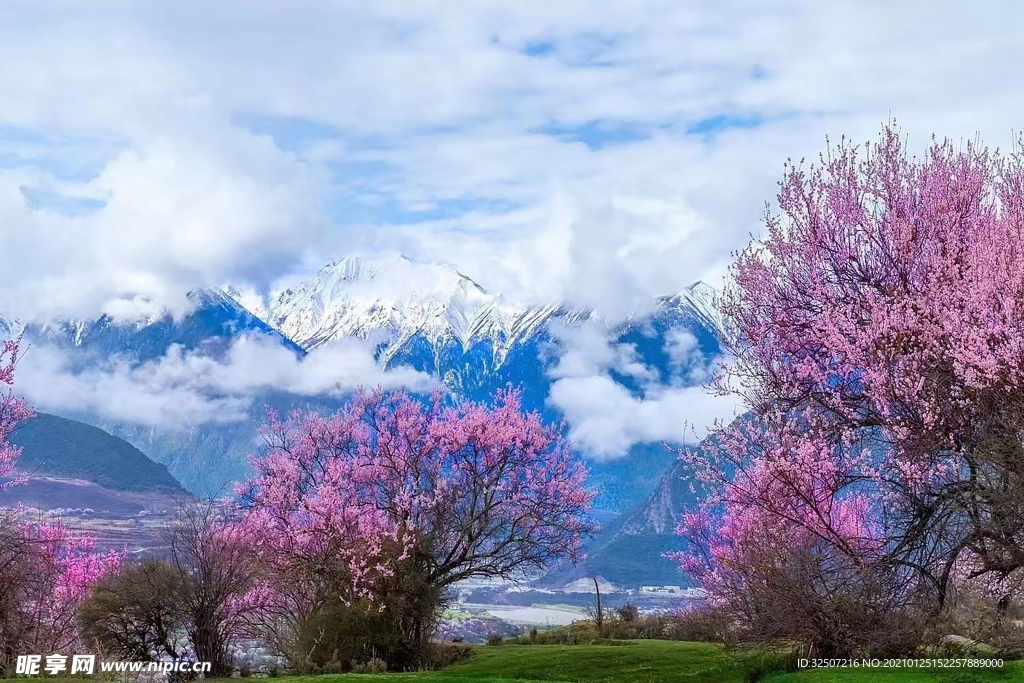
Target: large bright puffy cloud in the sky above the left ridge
[{"x": 179, "y": 212}]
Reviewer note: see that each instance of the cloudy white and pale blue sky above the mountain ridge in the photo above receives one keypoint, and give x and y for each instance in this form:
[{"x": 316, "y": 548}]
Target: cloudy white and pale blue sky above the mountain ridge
[{"x": 598, "y": 152}]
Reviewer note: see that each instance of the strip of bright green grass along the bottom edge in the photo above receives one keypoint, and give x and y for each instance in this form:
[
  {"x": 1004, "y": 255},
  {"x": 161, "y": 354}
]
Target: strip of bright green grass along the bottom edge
[{"x": 644, "y": 662}]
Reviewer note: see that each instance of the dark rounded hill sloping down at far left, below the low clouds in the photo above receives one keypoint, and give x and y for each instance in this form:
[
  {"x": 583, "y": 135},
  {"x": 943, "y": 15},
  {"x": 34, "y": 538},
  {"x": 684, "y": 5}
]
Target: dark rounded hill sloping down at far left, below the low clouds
[{"x": 61, "y": 448}]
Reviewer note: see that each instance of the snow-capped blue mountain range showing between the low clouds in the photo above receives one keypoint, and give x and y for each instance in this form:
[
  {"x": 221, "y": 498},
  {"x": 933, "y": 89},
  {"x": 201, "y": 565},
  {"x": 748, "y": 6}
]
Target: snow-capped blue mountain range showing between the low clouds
[{"x": 431, "y": 318}]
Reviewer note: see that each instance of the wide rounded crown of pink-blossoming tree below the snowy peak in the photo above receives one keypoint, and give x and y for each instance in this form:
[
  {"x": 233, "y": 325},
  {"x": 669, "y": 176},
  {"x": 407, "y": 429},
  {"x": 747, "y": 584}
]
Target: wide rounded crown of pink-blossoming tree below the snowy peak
[{"x": 447, "y": 494}]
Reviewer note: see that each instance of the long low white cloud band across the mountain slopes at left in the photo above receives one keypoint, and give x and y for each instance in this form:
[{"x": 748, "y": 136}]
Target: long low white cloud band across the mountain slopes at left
[{"x": 187, "y": 390}]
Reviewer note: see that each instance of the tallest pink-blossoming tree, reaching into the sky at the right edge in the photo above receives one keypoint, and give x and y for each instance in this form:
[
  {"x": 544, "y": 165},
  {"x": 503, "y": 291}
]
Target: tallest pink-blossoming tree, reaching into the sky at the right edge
[{"x": 881, "y": 352}]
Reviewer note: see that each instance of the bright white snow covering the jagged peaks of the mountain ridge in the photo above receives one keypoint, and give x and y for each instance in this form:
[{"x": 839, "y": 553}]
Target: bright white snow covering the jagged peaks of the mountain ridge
[{"x": 397, "y": 301}]
